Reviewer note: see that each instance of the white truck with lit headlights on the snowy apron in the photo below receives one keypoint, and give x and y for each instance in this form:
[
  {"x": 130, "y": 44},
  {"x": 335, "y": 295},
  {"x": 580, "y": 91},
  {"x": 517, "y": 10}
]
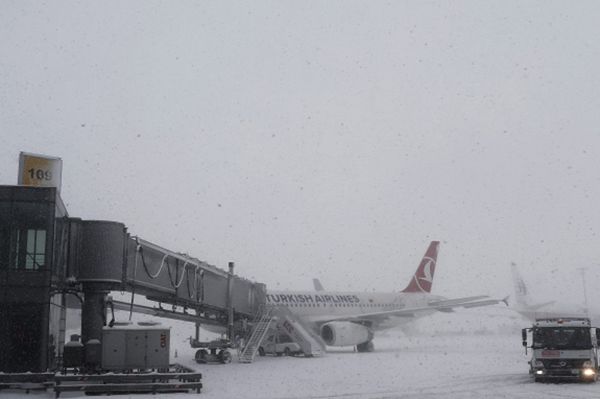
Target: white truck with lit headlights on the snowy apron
[{"x": 563, "y": 348}]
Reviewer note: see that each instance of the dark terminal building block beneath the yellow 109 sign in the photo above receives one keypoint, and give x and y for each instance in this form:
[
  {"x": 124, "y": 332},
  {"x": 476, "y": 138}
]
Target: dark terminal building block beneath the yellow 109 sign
[{"x": 33, "y": 267}]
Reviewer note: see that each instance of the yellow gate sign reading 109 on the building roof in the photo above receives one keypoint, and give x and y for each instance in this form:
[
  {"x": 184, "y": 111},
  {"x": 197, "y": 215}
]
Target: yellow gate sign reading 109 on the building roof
[{"x": 39, "y": 170}]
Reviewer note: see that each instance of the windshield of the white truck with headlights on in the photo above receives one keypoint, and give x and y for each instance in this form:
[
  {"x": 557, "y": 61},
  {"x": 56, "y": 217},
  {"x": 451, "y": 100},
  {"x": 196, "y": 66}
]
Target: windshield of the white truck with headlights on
[{"x": 561, "y": 338}]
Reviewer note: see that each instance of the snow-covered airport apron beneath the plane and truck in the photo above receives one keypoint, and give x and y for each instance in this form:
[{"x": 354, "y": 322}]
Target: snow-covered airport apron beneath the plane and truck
[{"x": 445, "y": 356}]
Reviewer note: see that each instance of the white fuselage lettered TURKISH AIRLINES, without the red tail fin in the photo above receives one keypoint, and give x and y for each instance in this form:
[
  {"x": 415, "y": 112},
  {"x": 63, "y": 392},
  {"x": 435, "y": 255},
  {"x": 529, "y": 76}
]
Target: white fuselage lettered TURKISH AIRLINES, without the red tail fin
[{"x": 321, "y": 306}]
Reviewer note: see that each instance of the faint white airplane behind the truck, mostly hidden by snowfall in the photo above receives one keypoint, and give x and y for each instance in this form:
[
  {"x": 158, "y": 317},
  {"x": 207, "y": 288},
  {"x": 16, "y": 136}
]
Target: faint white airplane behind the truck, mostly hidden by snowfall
[{"x": 539, "y": 310}]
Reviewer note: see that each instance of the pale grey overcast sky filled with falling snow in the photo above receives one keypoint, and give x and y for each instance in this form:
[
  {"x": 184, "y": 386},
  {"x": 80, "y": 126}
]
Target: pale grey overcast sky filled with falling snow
[{"x": 328, "y": 139}]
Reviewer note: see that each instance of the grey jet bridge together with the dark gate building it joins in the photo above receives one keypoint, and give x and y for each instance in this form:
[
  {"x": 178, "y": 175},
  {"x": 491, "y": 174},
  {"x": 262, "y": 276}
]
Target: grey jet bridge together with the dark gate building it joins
[{"x": 45, "y": 256}]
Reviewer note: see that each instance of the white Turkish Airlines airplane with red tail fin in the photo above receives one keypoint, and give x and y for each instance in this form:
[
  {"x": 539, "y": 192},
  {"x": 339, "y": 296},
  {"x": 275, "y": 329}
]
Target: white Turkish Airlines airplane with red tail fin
[{"x": 352, "y": 318}]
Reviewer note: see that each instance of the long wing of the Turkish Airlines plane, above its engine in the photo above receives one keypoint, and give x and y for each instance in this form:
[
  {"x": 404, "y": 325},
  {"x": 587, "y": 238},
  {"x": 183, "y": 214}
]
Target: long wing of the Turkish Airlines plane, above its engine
[{"x": 444, "y": 305}]
